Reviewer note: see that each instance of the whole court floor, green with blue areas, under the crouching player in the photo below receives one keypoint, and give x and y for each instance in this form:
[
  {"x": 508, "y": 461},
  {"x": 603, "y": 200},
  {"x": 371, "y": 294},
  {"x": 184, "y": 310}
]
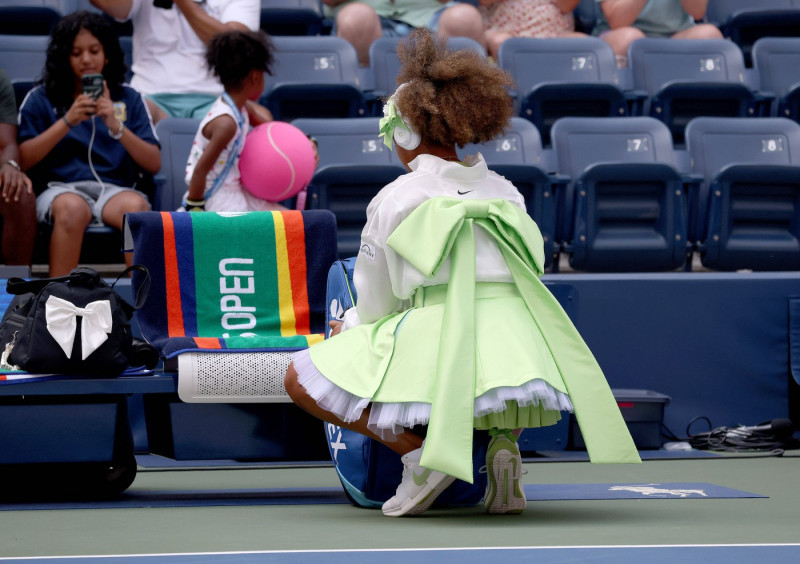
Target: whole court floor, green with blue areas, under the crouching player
[{"x": 727, "y": 509}]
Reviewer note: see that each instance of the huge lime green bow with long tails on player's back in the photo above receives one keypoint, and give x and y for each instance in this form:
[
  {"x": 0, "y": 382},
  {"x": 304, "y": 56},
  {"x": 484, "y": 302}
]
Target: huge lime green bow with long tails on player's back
[{"x": 442, "y": 228}]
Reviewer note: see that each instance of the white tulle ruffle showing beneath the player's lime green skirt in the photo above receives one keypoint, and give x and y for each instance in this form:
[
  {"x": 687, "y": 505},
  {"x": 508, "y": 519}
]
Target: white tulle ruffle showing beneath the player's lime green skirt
[{"x": 389, "y": 419}]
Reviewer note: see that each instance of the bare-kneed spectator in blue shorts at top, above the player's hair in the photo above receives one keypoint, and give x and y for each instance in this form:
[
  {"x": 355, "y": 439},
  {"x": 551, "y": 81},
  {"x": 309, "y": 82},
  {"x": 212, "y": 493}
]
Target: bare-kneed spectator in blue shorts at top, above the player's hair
[{"x": 363, "y": 22}]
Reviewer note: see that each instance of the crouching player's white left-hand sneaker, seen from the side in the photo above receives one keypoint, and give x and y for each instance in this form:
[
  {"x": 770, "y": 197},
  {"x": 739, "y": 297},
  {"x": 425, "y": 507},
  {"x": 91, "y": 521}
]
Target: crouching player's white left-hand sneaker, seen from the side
[{"x": 419, "y": 488}]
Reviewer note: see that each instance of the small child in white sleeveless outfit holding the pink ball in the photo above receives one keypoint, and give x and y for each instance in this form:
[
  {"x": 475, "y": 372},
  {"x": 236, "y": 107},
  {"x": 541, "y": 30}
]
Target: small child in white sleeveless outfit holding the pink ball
[{"x": 239, "y": 59}]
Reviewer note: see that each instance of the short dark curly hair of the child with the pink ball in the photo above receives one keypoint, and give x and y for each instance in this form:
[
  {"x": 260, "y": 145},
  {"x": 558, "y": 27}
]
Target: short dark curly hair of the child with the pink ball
[{"x": 232, "y": 55}]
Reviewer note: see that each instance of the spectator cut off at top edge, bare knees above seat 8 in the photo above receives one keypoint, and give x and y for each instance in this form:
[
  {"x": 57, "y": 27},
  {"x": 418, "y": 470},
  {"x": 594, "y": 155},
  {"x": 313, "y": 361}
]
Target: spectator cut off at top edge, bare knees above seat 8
[{"x": 621, "y": 22}]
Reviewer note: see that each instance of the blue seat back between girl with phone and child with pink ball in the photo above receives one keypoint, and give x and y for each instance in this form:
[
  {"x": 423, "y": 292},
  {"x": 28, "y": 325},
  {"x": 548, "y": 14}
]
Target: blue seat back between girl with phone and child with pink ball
[{"x": 176, "y": 136}]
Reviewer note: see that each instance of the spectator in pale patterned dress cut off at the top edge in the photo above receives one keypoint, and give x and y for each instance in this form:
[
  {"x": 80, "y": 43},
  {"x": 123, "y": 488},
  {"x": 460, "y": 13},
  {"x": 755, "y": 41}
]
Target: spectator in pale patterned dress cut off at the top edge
[{"x": 527, "y": 18}]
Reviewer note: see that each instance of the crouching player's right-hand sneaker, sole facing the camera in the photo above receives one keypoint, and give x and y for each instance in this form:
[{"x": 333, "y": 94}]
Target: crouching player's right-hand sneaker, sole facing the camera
[{"x": 504, "y": 493}]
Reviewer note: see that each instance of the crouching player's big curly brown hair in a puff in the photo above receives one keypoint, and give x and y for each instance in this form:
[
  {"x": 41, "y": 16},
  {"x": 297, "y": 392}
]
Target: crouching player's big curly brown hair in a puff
[{"x": 451, "y": 97}]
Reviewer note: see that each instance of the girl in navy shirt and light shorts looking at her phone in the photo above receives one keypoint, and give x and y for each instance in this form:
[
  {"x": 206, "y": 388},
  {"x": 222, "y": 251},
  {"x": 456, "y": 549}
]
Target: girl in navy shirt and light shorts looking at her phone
[{"x": 87, "y": 157}]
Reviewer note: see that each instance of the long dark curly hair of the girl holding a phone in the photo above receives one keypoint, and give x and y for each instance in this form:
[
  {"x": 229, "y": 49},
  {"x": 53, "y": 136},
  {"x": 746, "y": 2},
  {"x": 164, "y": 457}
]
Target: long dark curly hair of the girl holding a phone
[{"x": 58, "y": 79}]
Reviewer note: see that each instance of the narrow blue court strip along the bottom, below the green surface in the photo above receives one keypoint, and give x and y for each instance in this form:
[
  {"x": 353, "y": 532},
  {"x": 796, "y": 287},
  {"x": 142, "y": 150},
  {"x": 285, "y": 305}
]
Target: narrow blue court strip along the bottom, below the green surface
[{"x": 706, "y": 554}]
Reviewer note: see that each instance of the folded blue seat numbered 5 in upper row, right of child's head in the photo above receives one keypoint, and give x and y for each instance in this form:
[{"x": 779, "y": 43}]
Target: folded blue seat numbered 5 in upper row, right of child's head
[{"x": 314, "y": 77}]
